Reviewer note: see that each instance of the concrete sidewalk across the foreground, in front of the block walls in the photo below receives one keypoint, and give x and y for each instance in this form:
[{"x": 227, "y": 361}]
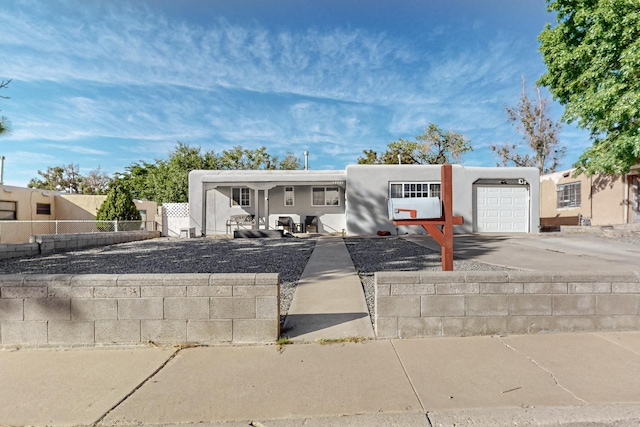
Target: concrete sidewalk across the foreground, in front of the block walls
[{"x": 586, "y": 379}]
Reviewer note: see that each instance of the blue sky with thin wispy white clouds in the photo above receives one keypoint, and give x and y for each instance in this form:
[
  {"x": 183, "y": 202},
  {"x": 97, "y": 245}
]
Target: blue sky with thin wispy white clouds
[{"x": 109, "y": 83}]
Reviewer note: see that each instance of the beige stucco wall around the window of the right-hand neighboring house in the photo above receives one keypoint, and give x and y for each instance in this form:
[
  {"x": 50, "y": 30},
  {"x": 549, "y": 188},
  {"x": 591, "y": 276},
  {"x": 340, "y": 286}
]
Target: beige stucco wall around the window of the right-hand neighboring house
[{"x": 603, "y": 198}]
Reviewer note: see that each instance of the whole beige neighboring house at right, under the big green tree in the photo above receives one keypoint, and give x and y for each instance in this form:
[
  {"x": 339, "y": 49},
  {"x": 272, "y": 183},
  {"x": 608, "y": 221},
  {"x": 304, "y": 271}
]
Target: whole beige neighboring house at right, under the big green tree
[{"x": 595, "y": 200}]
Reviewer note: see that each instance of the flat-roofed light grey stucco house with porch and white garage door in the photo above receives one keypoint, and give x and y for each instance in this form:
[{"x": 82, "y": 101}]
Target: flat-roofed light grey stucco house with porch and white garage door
[{"x": 354, "y": 201}]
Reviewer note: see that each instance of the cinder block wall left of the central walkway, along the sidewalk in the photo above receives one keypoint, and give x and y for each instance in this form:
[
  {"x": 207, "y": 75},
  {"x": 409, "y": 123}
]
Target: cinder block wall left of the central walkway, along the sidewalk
[{"x": 104, "y": 309}]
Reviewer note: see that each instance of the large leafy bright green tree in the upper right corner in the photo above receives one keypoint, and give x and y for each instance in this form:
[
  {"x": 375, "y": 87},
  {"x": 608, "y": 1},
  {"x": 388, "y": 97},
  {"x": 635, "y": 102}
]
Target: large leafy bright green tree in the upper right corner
[{"x": 593, "y": 68}]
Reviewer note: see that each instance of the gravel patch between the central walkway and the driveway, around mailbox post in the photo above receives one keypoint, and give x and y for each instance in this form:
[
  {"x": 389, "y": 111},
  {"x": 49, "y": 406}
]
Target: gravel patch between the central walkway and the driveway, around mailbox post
[{"x": 371, "y": 254}]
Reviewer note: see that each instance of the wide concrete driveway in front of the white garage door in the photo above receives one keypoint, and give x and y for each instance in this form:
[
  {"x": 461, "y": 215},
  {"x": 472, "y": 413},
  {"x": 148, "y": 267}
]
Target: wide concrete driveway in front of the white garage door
[{"x": 543, "y": 252}]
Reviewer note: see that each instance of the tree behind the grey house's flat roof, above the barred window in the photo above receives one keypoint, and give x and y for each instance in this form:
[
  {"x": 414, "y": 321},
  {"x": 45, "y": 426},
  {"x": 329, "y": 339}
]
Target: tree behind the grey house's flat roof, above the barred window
[{"x": 435, "y": 146}]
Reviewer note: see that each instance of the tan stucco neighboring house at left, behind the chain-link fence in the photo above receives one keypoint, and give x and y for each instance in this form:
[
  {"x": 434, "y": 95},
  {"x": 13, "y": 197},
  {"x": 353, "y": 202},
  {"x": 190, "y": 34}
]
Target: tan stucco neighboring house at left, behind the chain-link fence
[{"x": 28, "y": 204}]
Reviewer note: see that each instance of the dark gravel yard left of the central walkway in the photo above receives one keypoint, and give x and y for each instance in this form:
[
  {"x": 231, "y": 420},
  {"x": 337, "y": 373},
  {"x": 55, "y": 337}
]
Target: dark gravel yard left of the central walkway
[{"x": 285, "y": 256}]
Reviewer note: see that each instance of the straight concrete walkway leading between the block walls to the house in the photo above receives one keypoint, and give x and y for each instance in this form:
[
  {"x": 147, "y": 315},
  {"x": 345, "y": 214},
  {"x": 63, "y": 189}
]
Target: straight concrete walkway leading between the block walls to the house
[{"x": 329, "y": 301}]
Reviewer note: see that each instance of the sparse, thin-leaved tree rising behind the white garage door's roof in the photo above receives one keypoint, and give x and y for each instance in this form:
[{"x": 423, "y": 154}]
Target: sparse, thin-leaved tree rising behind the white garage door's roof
[{"x": 539, "y": 134}]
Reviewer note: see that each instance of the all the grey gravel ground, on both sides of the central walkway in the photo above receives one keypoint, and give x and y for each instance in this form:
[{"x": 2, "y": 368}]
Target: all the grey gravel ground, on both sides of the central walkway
[{"x": 285, "y": 256}]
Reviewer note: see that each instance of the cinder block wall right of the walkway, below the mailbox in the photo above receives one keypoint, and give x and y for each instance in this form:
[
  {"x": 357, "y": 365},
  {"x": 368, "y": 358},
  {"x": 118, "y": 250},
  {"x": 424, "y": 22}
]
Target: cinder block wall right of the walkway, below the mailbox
[{"x": 419, "y": 304}]
